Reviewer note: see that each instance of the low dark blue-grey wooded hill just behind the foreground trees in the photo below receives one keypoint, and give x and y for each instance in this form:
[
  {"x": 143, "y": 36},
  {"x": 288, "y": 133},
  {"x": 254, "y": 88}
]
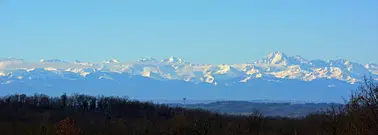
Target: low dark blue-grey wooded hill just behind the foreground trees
[{"x": 285, "y": 109}]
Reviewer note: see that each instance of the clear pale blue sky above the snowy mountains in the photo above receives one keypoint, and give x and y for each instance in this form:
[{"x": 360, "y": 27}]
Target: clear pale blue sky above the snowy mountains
[{"x": 200, "y": 31}]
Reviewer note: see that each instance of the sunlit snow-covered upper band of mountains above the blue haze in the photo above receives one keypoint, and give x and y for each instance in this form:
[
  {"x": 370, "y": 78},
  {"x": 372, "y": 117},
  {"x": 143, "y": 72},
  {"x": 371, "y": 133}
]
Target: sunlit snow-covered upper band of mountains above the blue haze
[{"x": 276, "y": 65}]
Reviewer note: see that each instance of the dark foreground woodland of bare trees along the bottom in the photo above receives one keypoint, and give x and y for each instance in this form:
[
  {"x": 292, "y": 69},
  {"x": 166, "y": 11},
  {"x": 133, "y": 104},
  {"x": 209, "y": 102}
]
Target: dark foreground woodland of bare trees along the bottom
[{"x": 88, "y": 115}]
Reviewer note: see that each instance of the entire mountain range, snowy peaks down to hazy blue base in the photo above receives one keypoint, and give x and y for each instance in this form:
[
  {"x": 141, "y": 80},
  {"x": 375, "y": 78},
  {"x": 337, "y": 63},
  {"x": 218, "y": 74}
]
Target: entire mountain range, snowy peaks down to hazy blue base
[{"x": 274, "y": 77}]
